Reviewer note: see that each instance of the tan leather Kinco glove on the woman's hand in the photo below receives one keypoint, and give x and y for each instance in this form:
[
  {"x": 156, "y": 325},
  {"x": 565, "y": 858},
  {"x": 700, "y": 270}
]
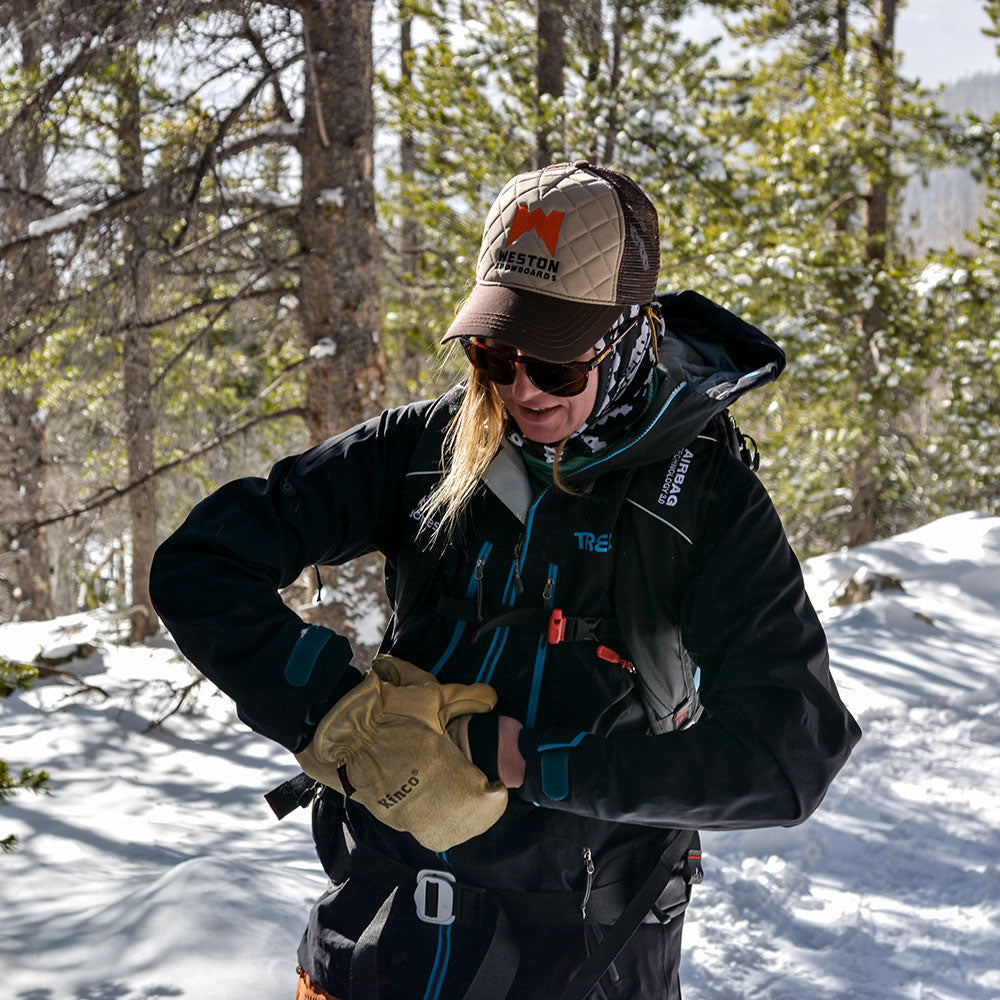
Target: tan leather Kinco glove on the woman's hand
[{"x": 398, "y": 743}]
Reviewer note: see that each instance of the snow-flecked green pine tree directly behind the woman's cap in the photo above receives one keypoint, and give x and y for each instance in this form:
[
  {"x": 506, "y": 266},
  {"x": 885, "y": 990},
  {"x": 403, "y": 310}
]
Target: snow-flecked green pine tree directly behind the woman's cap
[{"x": 480, "y": 104}]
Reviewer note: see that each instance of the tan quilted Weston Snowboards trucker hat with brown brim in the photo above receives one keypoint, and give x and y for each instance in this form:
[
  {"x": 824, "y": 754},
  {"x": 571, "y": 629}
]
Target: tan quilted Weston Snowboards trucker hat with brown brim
[{"x": 565, "y": 249}]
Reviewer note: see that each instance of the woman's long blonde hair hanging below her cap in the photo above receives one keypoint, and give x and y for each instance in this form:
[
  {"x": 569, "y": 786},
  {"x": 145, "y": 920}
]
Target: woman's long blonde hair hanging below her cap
[{"x": 473, "y": 438}]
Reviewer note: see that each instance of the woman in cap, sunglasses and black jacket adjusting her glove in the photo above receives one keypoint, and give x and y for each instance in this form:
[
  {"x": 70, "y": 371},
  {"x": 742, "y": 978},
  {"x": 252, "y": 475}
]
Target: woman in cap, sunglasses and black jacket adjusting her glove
[{"x": 600, "y": 639}]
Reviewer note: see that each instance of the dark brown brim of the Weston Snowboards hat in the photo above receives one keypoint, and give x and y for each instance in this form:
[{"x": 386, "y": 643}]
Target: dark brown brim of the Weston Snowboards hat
[{"x": 540, "y": 325}]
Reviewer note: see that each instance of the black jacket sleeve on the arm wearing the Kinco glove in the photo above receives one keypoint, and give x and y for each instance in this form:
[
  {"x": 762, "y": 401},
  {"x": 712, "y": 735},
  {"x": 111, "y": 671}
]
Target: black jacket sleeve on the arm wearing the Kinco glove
[{"x": 215, "y": 581}]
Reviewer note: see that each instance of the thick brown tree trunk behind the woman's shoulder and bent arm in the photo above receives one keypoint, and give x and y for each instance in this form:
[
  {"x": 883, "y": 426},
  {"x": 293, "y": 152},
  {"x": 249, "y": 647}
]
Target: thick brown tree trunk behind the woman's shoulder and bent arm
[{"x": 339, "y": 287}]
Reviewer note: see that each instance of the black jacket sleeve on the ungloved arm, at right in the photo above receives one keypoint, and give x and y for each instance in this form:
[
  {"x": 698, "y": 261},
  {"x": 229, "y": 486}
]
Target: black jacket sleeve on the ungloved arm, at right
[{"x": 774, "y": 732}]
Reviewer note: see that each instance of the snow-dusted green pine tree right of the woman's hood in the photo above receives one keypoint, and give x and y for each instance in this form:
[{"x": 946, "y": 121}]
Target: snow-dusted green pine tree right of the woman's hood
[{"x": 827, "y": 131}]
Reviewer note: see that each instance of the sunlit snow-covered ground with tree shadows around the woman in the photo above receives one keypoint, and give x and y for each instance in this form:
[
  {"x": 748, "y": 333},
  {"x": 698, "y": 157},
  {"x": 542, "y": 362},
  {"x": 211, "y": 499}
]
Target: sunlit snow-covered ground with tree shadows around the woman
[{"x": 155, "y": 869}]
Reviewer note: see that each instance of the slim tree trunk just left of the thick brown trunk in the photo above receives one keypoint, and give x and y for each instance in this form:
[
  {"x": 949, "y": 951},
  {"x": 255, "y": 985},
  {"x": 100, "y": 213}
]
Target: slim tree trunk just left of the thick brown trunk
[{"x": 136, "y": 356}]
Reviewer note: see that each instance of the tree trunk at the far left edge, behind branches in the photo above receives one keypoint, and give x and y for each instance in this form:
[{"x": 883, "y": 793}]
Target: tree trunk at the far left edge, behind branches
[{"x": 28, "y": 277}]
